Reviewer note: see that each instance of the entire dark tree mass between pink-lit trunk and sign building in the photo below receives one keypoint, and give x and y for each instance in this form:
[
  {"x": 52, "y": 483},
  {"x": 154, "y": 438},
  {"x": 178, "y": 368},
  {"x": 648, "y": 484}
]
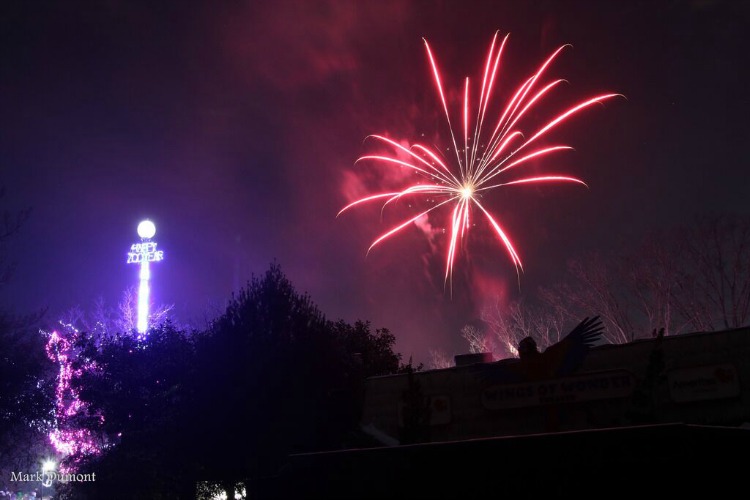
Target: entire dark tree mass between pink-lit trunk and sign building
[{"x": 269, "y": 377}]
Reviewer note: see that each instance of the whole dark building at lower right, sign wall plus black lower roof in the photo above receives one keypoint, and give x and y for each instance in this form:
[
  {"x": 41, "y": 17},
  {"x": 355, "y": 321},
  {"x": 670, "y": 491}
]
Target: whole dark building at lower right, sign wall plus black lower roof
[{"x": 663, "y": 415}]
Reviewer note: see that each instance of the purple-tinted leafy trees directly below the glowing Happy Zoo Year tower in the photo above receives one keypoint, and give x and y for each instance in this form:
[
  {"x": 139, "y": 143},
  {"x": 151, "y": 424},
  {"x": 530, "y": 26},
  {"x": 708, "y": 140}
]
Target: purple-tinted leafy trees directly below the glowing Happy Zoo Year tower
[{"x": 140, "y": 389}]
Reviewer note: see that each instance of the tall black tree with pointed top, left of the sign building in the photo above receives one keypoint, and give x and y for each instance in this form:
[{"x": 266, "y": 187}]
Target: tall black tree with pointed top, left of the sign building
[{"x": 276, "y": 377}]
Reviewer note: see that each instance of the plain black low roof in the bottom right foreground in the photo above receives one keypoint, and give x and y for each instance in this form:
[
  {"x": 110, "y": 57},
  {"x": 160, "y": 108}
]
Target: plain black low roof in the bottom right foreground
[{"x": 626, "y": 462}]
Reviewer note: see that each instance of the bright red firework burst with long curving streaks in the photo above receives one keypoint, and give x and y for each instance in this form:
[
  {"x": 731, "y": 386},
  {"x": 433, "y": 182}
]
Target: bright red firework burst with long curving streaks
[{"x": 483, "y": 162}]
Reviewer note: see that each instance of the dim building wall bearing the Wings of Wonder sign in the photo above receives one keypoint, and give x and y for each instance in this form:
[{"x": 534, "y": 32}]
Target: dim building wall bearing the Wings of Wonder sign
[{"x": 699, "y": 378}]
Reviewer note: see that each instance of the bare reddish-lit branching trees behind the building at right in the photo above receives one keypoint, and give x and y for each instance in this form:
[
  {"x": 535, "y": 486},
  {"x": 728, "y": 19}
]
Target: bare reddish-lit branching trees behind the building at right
[{"x": 687, "y": 278}]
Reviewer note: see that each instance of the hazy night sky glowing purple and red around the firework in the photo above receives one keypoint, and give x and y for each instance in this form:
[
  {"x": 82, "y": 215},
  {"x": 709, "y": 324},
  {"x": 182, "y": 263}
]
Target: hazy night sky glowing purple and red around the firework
[{"x": 235, "y": 126}]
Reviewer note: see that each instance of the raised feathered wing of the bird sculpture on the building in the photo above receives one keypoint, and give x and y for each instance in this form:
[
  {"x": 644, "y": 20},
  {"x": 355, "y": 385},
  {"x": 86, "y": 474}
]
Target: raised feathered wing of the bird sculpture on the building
[{"x": 567, "y": 355}]
